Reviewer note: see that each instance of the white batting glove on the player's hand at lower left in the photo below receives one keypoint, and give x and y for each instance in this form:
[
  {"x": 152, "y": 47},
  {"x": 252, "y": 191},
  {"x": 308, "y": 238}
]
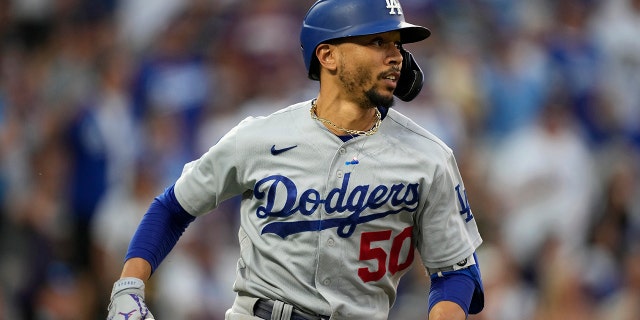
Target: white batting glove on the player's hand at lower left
[{"x": 127, "y": 301}]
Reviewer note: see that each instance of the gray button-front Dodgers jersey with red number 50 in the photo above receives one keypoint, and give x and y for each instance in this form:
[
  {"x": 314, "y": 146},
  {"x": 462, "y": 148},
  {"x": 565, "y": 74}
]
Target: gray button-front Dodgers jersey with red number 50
[{"x": 331, "y": 226}]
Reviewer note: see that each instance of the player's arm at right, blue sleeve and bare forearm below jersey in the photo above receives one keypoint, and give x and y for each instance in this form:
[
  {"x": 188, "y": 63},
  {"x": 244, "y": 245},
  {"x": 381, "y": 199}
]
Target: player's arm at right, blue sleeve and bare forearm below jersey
[{"x": 456, "y": 293}]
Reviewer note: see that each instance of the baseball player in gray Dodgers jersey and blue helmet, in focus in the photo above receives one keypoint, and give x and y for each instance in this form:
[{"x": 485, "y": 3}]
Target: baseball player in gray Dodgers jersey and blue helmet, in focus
[{"x": 338, "y": 192}]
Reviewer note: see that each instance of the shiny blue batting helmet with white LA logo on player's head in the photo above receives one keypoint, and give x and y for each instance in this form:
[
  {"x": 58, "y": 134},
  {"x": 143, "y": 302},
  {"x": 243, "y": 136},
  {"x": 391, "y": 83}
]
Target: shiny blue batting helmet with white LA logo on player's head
[{"x": 334, "y": 19}]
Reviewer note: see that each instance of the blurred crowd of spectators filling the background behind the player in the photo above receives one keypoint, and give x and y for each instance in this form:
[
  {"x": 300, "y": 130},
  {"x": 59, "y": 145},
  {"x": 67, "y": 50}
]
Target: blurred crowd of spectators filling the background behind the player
[{"x": 102, "y": 102}]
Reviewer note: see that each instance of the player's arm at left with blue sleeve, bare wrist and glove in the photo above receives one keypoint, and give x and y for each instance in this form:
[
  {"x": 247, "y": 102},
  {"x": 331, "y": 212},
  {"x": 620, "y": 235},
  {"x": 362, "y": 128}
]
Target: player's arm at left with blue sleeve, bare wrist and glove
[{"x": 157, "y": 234}]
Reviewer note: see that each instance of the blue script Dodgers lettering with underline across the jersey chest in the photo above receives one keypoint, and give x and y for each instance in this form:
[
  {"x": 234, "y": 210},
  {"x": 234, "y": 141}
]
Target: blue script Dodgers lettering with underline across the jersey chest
[{"x": 390, "y": 199}]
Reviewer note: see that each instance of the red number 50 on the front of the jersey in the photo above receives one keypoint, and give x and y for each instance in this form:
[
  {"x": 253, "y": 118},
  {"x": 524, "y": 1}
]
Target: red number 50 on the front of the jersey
[{"x": 367, "y": 252}]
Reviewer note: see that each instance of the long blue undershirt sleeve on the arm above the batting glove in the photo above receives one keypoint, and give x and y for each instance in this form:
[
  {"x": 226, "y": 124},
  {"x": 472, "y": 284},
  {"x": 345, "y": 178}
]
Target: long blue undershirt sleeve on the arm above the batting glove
[{"x": 159, "y": 230}]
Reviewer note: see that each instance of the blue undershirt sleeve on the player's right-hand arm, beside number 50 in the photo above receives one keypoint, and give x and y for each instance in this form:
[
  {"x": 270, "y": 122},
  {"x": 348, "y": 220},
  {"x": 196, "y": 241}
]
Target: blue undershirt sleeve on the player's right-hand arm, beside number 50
[{"x": 463, "y": 287}]
